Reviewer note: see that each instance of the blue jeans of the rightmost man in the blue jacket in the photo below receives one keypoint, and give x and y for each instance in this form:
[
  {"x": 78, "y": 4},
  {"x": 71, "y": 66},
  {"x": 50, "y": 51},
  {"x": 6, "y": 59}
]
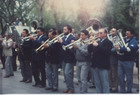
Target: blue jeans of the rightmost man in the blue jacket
[{"x": 125, "y": 69}]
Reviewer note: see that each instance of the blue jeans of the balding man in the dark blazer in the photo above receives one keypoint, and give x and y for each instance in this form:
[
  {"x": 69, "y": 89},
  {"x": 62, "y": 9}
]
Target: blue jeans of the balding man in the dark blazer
[{"x": 101, "y": 80}]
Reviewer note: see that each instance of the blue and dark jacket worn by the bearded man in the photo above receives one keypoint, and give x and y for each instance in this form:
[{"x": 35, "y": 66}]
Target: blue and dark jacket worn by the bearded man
[{"x": 68, "y": 54}]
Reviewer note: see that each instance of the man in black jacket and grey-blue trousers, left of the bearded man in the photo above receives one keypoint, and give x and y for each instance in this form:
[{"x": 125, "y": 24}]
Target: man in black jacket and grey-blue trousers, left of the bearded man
[{"x": 52, "y": 62}]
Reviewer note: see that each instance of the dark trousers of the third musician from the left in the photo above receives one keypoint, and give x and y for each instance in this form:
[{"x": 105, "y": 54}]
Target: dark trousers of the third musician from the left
[{"x": 38, "y": 67}]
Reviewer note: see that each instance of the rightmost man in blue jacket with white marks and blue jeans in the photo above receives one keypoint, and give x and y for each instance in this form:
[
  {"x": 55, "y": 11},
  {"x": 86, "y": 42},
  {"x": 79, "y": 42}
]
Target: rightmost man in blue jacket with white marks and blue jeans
[{"x": 126, "y": 61}]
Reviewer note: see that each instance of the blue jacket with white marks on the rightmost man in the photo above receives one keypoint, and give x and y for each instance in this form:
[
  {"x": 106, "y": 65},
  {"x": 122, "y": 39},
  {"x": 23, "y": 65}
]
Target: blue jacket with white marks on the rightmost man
[{"x": 129, "y": 53}]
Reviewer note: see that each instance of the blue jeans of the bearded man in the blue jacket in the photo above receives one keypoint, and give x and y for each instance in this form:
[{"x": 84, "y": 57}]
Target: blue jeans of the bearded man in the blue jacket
[{"x": 69, "y": 75}]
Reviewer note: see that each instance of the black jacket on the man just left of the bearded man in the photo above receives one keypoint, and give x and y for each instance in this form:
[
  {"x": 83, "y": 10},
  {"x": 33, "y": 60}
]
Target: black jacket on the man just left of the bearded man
[{"x": 52, "y": 53}]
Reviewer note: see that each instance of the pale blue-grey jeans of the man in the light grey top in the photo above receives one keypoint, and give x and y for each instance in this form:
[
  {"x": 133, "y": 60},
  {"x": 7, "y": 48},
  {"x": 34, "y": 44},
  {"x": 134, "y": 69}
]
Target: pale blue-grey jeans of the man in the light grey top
[{"x": 82, "y": 69}]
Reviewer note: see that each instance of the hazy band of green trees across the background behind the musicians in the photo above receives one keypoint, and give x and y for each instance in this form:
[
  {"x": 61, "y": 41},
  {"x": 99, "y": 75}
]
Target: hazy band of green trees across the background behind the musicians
[{"x": 121, "y": 14}]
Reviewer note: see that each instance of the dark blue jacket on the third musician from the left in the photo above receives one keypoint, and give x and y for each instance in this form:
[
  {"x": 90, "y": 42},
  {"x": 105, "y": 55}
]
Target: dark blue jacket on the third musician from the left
[{"x": 40, "y": 55}]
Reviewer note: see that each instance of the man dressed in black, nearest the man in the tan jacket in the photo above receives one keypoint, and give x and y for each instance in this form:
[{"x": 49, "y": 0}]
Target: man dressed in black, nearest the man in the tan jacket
[{"x": 25, "y": 56}]
